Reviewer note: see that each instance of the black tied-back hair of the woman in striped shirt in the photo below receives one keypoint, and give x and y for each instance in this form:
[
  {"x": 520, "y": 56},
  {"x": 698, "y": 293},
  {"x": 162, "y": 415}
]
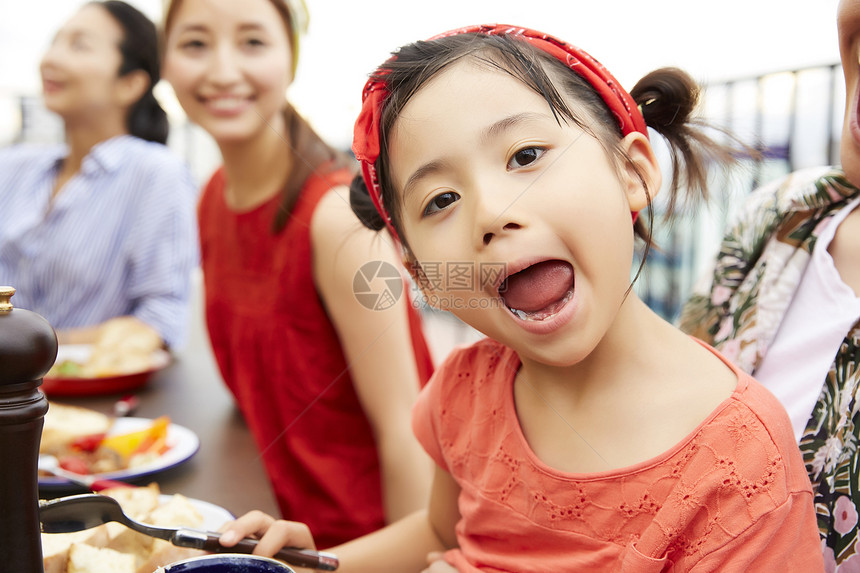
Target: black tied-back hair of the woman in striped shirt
[{"x": 139, "y": 49}]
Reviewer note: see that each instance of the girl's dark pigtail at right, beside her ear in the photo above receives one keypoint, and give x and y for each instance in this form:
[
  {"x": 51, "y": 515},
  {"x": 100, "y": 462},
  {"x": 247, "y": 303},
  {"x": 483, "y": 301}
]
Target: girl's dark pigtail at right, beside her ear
[{"x": 668, "y": 98}]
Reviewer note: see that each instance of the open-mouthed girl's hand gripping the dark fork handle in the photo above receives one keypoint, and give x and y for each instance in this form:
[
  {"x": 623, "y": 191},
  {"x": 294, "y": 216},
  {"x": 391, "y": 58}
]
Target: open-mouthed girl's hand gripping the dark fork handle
[{"x": 274, "y": 534}]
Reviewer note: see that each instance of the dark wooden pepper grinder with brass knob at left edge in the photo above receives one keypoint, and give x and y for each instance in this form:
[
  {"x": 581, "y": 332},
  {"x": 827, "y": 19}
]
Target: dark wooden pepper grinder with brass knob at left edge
[{"x": 28, "y": 348}]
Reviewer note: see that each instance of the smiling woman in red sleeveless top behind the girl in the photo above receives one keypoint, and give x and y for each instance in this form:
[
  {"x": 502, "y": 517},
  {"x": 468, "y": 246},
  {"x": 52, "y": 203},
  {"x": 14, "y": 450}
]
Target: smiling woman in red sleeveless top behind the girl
[{"x": 325, "y": 383}]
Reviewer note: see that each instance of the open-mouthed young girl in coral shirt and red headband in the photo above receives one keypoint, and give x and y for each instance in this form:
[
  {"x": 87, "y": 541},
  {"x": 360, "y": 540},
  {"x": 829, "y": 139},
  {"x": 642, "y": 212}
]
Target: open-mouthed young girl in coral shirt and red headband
[{"x": 586, "y": 433}]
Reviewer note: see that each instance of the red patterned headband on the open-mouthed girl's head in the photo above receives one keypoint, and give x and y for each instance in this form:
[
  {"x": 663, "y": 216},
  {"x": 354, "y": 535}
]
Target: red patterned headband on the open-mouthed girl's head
[{"x": 366, "y": 135}]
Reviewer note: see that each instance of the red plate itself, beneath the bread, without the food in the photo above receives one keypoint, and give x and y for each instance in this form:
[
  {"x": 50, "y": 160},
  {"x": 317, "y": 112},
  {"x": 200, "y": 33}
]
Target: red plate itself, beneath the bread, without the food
[{"x": 53, "y": 386}]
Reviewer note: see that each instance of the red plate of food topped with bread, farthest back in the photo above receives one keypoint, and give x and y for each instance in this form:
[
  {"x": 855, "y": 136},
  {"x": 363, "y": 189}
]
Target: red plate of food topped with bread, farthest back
[{"x": 123, "y": 357}]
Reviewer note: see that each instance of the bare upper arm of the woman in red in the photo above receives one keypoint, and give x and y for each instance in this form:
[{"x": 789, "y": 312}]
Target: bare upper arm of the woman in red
[{"x": 377, "y": 345}]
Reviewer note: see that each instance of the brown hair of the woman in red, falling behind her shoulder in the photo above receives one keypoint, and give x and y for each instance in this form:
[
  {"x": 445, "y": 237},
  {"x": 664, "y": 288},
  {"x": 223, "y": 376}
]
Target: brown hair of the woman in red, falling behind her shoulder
[{"x": 307, "y": 154}]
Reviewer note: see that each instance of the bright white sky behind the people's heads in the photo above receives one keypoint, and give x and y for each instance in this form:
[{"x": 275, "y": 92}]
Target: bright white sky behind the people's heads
[{"x": 348, "y": 38}]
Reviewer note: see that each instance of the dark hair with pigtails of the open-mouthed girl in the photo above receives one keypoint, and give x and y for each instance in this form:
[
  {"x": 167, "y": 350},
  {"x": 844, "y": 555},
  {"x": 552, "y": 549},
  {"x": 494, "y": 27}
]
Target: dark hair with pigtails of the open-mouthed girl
[{"x": 667, "y": 98}]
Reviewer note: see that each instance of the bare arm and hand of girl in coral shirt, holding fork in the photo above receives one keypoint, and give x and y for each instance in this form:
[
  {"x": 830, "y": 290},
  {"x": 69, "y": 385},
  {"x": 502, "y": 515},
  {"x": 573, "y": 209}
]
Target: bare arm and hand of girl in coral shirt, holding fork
[{"x": 401, "y": 547}]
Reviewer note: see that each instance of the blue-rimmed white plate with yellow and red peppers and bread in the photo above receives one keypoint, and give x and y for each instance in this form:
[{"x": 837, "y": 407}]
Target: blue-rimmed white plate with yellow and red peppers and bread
[{"x": 87, "y": 442}]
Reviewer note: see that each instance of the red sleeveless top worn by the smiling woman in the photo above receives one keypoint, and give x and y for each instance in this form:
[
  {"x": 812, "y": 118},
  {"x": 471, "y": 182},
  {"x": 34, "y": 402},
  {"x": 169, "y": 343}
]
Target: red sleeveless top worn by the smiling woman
[{"x": 279, "y": 354}]
